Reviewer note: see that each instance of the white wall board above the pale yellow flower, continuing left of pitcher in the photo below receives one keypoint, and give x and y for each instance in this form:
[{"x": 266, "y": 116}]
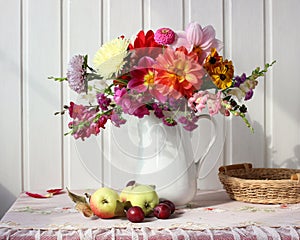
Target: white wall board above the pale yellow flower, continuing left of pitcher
[{"x": 117, "y": 23}]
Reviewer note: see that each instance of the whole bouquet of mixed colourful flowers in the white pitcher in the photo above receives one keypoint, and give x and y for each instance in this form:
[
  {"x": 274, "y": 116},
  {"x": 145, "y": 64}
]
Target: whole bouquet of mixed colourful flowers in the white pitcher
[{"x": 175, "y": 74}]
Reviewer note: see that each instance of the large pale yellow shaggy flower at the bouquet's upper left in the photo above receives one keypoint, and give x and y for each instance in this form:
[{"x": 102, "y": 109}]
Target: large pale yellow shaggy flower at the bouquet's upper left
[{"x": 110, "y": 58}]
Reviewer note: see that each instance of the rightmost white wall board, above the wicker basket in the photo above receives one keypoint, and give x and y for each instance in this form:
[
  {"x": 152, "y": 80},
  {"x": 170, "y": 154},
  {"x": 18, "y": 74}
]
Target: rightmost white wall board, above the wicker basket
[{"x": 284, "y": 131}]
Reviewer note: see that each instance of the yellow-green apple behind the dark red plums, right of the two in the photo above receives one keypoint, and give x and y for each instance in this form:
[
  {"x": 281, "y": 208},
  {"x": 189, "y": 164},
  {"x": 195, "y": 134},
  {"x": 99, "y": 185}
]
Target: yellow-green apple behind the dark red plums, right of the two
[{"x": 141, "y": 195}]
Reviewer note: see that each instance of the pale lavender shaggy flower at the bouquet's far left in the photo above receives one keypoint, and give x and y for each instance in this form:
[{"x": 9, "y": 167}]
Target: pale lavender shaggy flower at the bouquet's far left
[{"x": 76, "y": 74}]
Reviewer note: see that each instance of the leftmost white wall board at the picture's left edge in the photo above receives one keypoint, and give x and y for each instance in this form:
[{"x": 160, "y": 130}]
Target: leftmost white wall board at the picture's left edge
[{"x": 10, "y": 98}]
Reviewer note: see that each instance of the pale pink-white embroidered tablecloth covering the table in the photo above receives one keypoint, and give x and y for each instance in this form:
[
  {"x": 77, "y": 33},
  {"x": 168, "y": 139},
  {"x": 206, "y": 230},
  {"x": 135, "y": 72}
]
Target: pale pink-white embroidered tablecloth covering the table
[{"x": 212, "y": 215}]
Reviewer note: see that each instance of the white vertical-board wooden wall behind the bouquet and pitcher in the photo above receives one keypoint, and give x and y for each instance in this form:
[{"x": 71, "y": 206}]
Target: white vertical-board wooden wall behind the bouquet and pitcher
[{"x": 38, "y": 38}]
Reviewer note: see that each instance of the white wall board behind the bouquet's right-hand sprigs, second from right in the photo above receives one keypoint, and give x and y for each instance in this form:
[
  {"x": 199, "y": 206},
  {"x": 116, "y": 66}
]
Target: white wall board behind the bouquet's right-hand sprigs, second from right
[{"x": 247, "y": 52}]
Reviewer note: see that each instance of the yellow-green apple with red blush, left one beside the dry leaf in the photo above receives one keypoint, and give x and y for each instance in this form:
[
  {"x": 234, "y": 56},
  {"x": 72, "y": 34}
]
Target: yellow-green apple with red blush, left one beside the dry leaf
[{"x": 103, "y": 202}]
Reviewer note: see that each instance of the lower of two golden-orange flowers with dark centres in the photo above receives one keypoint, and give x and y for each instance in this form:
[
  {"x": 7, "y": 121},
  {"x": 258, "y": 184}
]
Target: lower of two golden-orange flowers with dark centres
[{"x": 222, "y": 74}]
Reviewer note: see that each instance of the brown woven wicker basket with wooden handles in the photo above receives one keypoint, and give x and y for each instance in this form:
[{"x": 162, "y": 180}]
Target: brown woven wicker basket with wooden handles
[{"x": 261, "y": 185}]
